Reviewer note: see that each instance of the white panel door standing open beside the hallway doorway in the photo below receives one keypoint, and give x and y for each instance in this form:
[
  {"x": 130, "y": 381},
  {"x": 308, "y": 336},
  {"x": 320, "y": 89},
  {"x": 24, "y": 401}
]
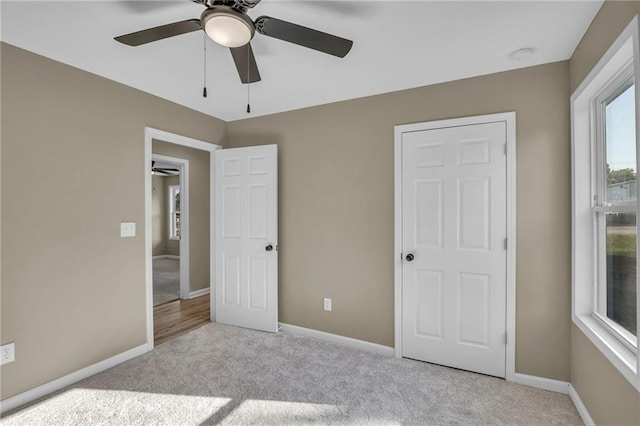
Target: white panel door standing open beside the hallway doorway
[{"x": 246, "y": 229}]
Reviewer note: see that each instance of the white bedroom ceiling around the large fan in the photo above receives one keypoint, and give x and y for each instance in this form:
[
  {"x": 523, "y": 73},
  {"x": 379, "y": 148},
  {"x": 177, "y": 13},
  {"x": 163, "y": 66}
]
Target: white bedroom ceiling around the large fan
[{"x": 397, "y": 45}]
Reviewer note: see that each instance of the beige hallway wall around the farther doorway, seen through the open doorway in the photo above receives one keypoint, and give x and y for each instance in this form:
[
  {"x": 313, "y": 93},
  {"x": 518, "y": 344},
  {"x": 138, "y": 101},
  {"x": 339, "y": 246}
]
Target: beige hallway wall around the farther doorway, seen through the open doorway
[{"x": 199, "y": 253}]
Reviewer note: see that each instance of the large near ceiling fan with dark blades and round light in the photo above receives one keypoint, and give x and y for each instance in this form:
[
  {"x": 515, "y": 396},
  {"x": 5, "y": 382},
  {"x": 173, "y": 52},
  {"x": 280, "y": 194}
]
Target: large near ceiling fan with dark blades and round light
[{"x": 226, "y": 22}]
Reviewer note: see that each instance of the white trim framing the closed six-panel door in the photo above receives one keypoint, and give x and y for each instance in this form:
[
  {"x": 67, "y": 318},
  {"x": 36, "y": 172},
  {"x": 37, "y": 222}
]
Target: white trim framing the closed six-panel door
[{"x": 510, "y": 119}]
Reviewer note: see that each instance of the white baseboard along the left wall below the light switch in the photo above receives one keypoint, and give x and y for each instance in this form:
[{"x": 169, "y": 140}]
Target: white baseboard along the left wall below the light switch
[{"x": 47, "y": 388}]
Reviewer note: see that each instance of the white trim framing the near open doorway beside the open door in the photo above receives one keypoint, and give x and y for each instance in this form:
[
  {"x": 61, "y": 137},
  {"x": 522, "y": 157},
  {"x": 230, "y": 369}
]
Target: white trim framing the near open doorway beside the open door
[{"x": 149, "y": 135}]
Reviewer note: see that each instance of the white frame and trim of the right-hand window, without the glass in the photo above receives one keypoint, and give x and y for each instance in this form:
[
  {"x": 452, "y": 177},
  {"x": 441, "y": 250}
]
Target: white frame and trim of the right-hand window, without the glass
[{"x": 587, "y": 156}]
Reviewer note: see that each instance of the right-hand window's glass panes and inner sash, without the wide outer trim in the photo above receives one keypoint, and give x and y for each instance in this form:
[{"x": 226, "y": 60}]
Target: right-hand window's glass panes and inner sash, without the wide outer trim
[{"x": 615, "y": 208}]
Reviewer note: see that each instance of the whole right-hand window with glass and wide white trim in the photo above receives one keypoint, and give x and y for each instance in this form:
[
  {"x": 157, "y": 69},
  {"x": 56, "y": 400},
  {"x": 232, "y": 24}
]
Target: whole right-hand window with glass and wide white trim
[{"x": 605, "y": 205}]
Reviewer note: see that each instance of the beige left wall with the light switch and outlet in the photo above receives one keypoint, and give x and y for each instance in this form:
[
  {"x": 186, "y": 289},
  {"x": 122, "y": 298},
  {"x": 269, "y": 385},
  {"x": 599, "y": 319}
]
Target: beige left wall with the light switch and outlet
[{"x": 73, "y": 291}]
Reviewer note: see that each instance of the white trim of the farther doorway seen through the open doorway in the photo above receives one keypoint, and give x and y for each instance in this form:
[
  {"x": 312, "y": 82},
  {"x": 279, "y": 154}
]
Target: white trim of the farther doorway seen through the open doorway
[{"x": 183, "y": 165}]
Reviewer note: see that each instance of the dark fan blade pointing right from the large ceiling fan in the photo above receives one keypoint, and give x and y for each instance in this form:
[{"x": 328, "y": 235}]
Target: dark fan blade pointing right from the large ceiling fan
[{"x": 303, "y": 36}]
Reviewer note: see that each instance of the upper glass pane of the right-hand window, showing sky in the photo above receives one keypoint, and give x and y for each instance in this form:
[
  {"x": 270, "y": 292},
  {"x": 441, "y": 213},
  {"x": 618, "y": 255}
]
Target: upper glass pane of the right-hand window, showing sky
[{"x": 620, "y": 147}]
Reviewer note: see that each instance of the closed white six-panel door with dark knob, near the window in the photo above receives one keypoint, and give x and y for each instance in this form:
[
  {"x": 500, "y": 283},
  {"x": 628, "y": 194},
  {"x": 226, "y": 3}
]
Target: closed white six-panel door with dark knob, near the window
[{"x": 454, "y": 255}]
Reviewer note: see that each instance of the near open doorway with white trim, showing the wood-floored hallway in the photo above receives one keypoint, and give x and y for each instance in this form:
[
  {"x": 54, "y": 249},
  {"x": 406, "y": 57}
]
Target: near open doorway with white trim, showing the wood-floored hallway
[{"x": 178, "y": 238}]
